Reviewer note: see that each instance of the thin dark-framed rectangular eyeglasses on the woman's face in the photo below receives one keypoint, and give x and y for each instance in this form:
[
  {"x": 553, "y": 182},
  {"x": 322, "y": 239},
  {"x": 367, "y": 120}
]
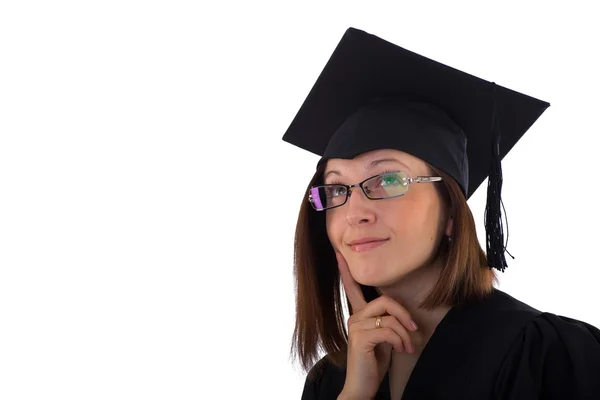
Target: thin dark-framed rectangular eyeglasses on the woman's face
[{"x": 378, "y": 187}]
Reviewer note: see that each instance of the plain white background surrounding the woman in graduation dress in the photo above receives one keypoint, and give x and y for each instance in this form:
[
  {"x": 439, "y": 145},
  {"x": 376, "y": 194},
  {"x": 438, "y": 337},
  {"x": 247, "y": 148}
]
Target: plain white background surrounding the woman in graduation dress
[{"x": 125, "y": 270}]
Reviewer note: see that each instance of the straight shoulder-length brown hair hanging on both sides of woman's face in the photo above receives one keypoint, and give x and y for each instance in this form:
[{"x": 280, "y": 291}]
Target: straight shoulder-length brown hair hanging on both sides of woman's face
[{"x": 320, "y": 321}]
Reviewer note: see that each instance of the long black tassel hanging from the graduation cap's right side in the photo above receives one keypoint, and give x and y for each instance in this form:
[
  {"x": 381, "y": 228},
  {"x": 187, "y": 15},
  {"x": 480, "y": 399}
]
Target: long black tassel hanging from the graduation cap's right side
[{"x": 494, "y": 229}]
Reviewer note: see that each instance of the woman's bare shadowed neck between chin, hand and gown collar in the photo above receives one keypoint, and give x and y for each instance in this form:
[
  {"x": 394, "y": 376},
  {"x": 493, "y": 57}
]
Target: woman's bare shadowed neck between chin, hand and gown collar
[{"x": 410, "y": 291}]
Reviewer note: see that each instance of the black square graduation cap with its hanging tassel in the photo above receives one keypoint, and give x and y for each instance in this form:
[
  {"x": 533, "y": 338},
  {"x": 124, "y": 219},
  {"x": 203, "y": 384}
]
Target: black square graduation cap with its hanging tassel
[{"x": 373, "y": 94}]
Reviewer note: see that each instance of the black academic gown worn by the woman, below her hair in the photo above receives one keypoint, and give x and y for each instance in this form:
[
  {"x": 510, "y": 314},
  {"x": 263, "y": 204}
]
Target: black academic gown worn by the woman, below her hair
[{"x": 496, "y": 348}]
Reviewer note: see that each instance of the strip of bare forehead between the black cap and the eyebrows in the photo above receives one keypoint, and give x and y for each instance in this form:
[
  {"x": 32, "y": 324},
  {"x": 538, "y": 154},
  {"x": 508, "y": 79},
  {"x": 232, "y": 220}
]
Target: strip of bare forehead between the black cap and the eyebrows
[{"x": 383, "y": 155}]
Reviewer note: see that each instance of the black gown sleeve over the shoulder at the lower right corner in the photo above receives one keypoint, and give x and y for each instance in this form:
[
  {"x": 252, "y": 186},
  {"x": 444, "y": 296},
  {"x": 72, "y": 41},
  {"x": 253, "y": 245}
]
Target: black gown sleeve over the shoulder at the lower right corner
[{"x": 553, "y": 357}]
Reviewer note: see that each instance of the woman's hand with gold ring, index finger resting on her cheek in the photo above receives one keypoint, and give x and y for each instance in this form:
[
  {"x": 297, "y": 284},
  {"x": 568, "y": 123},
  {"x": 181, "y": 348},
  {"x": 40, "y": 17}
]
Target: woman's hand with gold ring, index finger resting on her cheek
[{"x": 370, "y": 348}]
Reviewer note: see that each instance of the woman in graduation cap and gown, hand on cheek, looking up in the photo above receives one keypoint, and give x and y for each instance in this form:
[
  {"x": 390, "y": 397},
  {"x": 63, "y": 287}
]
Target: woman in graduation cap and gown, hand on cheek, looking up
[{"x": 404, "y": 141}]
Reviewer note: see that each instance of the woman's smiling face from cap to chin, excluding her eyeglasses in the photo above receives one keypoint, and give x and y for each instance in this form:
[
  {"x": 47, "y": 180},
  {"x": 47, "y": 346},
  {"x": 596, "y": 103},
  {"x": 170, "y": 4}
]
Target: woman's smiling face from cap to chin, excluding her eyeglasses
[{"x": 408, "y": 228}]
